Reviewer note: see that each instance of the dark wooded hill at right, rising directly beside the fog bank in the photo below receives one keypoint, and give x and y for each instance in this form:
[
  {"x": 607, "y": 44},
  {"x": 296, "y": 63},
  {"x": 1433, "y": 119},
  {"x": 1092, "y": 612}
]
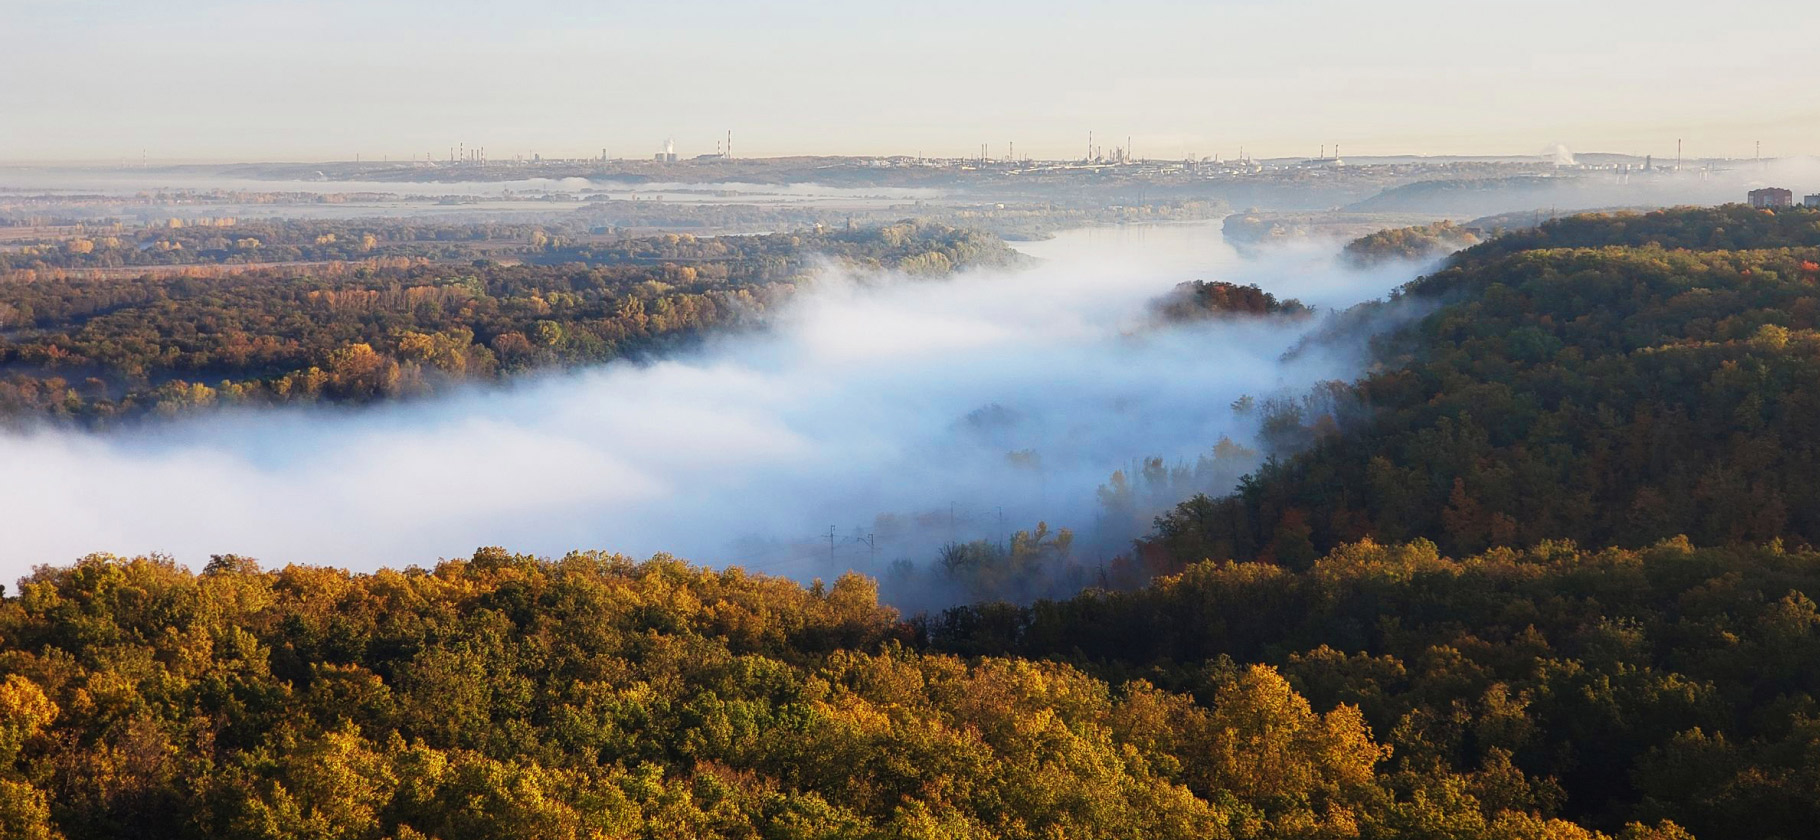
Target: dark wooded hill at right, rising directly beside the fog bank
[{"x": 1604, "y": 379}]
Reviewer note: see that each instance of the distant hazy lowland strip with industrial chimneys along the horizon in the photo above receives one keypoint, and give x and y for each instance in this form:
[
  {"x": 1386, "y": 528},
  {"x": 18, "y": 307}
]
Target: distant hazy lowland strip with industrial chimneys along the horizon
[{"x": 1015, "y": 197}]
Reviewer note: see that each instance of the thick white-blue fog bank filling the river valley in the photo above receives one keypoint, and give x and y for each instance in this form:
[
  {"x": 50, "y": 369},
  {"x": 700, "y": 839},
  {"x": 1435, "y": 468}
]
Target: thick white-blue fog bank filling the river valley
[{"x": 876, "y": 397}]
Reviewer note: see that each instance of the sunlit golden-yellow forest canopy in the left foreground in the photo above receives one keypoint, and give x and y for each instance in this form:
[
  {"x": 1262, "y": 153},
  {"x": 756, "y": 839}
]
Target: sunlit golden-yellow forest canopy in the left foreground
[{"x": 503, "y": 697}]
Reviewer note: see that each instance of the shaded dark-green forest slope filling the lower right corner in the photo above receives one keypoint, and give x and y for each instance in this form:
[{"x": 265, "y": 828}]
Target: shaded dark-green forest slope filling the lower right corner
[{"x": 1603, "y": 686}]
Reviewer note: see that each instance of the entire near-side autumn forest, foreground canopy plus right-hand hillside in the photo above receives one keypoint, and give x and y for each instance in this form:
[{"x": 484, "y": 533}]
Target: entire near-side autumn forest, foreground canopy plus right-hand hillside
[{"x": 1544, "y": 577}]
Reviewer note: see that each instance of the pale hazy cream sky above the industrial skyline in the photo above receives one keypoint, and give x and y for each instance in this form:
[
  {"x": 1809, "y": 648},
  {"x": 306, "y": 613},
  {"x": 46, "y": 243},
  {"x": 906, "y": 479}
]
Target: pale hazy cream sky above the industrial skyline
[{"x": 336, "y": 79}]
